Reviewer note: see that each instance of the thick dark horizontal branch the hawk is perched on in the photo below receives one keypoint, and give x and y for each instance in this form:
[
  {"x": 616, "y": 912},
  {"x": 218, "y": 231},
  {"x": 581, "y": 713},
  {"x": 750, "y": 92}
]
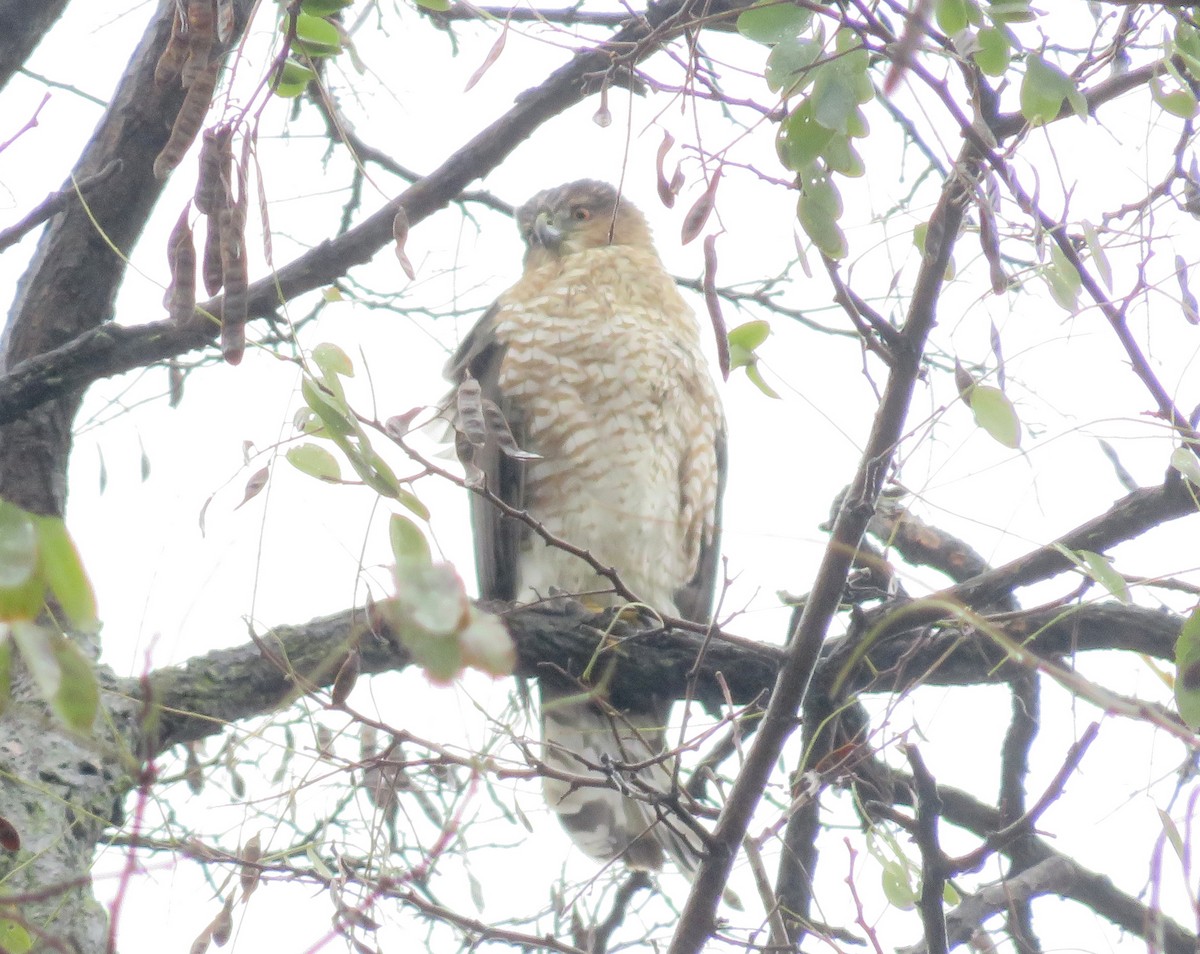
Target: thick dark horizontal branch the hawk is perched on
[{"x": 205, "y": 695}]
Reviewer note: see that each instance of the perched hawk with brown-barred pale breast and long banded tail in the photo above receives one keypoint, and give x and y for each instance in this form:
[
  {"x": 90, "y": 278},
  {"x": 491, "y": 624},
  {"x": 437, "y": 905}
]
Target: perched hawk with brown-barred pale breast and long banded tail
[{"x": 595, "y": 359}]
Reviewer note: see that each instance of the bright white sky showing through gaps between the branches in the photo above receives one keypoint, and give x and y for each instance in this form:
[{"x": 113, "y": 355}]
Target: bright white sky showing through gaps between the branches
[{"x": 167, "y": 592}]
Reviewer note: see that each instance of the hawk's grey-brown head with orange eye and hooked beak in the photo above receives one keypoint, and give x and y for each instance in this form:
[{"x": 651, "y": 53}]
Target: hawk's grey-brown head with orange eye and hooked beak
[{"x": 575, "y": 218}]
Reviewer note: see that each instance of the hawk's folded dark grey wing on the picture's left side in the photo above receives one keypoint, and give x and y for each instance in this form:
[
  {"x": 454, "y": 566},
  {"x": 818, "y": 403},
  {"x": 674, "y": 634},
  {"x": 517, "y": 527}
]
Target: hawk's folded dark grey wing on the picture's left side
[{"x": 497, "y": 537}]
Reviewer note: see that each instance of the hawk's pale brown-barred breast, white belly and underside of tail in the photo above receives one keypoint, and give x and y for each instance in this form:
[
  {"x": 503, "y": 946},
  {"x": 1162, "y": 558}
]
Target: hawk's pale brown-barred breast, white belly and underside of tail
[{"x": 620, "y": 405}]
